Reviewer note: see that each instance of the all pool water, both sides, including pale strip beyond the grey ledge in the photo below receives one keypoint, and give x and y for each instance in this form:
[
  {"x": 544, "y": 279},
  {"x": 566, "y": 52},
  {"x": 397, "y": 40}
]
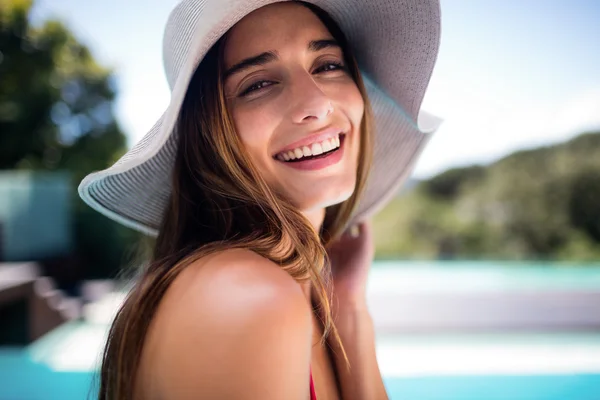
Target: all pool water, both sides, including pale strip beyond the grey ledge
[{"x": 544, "y": 365}]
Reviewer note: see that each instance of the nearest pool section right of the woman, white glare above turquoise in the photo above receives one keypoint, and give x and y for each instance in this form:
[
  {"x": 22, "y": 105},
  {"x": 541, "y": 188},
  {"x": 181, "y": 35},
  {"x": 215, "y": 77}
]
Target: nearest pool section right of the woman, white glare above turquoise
[{"x": 491, "y": 366}]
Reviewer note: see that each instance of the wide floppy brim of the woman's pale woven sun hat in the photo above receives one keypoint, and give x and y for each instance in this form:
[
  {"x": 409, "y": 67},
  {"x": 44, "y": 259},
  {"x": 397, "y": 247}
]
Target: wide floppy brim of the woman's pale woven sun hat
[{"x": 396, "y": 45}]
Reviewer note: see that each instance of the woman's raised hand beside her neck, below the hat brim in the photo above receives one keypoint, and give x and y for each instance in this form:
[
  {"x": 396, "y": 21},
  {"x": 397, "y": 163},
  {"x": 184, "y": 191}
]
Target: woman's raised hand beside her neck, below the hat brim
[{"x": 351, "y": 257}]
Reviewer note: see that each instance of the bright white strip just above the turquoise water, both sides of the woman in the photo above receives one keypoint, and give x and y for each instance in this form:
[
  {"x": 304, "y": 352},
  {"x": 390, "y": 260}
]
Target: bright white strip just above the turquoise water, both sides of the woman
[{"x": 77, "y": 347}]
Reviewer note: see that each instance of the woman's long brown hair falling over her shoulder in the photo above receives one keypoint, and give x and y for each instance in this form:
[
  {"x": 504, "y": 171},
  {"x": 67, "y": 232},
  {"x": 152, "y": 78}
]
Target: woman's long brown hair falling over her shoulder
[{"x": 219, "y": 201}]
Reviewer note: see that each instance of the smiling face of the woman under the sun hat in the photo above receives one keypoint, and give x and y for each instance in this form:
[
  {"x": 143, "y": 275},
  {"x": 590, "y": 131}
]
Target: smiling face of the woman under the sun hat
[{"x": 296, "y": 109}]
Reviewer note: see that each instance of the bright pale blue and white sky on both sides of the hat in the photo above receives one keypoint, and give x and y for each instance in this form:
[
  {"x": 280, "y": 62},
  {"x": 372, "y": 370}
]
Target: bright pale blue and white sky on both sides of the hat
[{"x": 510, "y": 74}]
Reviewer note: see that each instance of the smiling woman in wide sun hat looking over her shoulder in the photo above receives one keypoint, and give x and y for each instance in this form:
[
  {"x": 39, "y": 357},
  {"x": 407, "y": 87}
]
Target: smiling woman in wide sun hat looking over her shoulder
[{"x": 250, "y": 181}]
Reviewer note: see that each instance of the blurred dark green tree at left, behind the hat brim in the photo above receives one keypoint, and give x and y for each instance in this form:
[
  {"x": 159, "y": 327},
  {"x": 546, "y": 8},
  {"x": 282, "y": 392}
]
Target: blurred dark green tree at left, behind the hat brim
[{"x": 56, "y": 113}]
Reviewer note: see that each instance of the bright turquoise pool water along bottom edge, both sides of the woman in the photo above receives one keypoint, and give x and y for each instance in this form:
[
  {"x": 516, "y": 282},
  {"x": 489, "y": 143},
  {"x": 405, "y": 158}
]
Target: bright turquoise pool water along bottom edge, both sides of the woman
[{"x": 22, "y": 379}]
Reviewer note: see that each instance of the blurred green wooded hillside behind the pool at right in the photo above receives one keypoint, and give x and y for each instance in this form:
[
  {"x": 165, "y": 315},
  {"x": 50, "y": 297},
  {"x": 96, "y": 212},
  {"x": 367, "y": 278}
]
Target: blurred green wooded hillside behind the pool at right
[{"x": 540, "y": 203}]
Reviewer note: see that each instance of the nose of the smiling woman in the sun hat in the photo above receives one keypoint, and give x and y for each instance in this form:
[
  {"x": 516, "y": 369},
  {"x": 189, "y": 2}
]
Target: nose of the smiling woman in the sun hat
[{"x": 311, "y": 104}]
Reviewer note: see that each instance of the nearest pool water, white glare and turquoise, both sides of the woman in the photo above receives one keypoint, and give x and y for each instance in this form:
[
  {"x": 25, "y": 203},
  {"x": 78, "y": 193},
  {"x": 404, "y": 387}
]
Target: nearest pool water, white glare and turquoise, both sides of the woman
[{"x": 539, "y": 366}]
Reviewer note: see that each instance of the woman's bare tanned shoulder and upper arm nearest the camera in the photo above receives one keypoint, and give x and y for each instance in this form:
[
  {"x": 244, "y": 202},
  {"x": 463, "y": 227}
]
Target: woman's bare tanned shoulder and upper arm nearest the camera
[{"x": 232, "y": 325}]
